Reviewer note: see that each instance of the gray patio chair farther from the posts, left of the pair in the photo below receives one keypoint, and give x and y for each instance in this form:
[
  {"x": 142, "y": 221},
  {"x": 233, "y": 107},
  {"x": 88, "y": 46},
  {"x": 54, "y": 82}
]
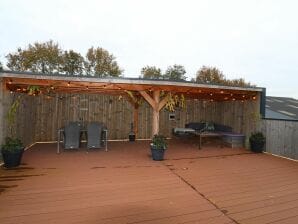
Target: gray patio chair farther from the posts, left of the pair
[{"x": 72, "y": 135}]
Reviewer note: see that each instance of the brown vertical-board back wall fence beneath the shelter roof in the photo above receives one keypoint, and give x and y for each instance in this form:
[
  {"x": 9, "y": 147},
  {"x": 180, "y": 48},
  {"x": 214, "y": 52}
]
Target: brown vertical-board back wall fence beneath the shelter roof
[{"x": 43, "y": 115}]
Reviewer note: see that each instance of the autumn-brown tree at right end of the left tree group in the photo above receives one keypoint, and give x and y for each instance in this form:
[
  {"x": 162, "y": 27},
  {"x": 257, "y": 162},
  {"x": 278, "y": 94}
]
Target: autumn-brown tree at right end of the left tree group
[{"x": 99, "y": 62}]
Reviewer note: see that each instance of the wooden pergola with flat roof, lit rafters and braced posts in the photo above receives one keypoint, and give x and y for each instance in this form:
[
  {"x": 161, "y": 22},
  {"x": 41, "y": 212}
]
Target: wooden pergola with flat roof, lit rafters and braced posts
[{"x": 155, "y": 92}]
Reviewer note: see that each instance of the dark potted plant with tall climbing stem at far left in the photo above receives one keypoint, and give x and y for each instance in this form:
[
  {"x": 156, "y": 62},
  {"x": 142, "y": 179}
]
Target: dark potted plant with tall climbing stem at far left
[{"x": 12, "y": 149}]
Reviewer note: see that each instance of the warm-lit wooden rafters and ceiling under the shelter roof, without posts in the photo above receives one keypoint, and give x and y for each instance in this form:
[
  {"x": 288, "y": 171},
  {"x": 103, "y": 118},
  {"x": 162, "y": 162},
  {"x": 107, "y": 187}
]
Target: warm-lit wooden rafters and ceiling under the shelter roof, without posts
[{"x": 74, "y": 84}]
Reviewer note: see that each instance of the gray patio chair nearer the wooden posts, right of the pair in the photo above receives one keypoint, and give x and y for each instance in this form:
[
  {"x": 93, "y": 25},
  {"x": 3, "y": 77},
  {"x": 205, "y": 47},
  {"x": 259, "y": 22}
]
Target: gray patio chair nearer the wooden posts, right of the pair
[{"x": 95, "y": 135}]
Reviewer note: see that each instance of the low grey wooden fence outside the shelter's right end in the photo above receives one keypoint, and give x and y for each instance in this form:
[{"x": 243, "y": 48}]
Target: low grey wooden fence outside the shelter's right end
[{"x": 281, "y": 137}]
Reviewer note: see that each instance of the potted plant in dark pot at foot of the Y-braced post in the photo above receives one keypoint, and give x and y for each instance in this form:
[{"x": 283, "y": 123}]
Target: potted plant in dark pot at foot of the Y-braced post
[{"x": 158, "y": 147}]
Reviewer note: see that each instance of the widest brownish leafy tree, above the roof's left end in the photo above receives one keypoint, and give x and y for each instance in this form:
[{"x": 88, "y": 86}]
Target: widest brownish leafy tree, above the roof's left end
[{"x": 39, "y": 57}]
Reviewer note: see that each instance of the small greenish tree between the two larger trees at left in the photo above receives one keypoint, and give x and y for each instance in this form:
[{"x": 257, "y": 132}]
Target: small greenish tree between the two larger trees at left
[{"x": 72, "y": 63}]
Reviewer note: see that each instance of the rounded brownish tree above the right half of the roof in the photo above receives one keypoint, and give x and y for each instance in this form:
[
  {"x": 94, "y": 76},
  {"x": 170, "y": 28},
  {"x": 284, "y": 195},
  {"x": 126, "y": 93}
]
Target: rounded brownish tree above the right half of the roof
[{"x": 210, "y": 75}]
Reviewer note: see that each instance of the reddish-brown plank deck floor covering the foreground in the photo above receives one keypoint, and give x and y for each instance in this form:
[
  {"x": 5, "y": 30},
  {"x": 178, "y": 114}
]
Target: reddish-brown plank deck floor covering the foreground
[{"x": 212, "y": 185}]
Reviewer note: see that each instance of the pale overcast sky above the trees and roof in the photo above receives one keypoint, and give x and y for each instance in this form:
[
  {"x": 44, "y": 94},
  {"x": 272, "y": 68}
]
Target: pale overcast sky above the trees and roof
[{"x": 252, "y": 39}]
